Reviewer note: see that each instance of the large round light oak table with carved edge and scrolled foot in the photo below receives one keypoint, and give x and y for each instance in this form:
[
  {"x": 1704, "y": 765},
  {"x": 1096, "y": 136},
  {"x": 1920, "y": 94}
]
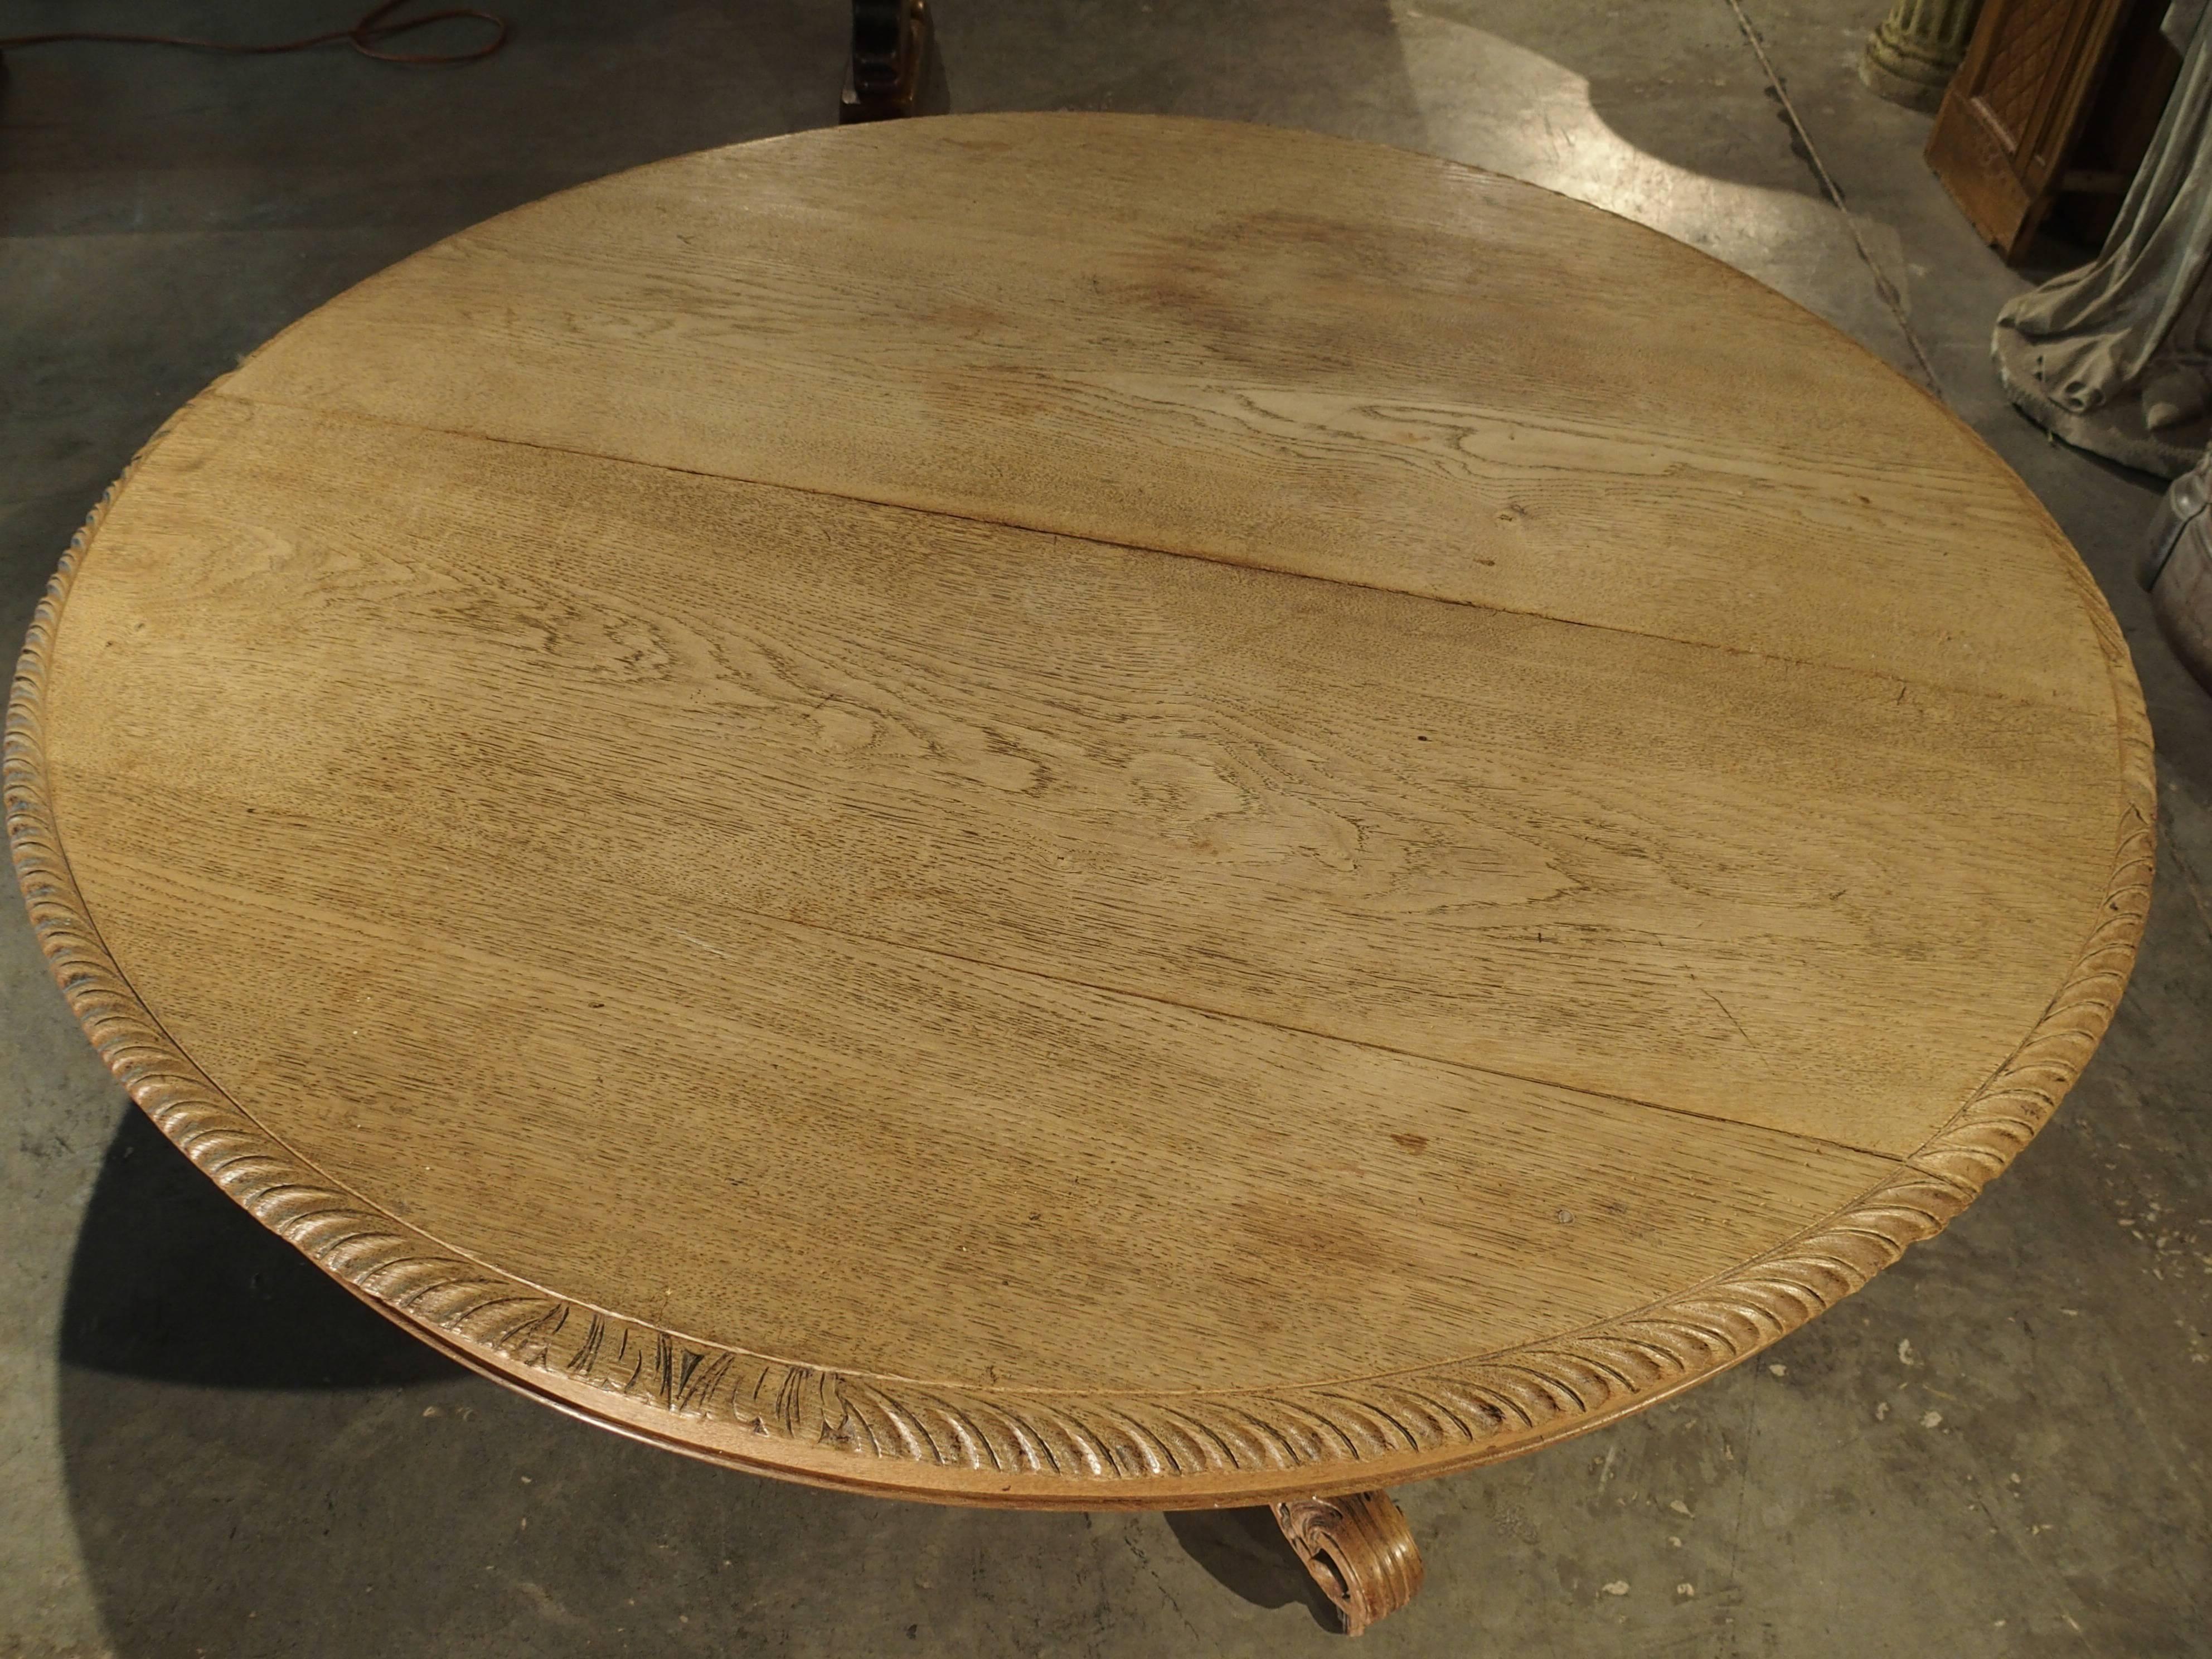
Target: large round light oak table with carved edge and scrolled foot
[{"x": 1085, "y": 813}]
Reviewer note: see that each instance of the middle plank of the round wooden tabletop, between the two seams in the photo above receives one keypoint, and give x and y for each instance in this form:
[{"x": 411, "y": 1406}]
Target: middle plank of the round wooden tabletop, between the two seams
[{"x": 1616, "y": 864}]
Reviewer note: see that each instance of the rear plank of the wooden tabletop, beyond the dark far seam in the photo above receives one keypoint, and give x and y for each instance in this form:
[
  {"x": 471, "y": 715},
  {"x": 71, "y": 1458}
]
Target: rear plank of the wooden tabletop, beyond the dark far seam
[{"x": 1269, "y": 348}]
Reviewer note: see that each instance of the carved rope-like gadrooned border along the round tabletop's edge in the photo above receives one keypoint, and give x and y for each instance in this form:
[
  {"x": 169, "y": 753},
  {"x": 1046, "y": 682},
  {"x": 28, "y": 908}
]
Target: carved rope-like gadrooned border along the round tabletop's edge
[{"x": 1326, "y": 1437}]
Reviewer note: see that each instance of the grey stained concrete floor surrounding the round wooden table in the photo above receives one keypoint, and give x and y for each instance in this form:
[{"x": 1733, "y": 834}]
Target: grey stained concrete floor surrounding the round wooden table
[{"x": 207, "y": 1450}]
